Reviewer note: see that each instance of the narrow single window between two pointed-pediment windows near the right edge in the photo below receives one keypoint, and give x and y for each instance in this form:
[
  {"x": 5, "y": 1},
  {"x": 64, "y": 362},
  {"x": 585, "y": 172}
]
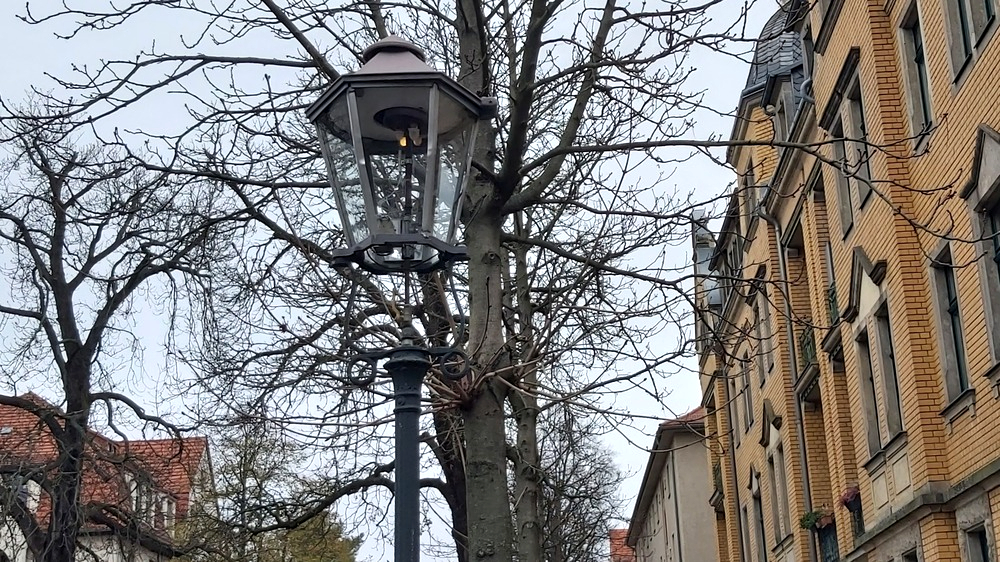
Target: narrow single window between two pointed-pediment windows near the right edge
[{"x": 953, "y": 362}]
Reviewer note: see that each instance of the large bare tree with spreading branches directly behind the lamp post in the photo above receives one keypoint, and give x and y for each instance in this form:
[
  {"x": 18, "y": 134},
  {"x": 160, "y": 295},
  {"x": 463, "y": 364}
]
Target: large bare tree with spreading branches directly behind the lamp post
[{"x": 566, "y": 284}]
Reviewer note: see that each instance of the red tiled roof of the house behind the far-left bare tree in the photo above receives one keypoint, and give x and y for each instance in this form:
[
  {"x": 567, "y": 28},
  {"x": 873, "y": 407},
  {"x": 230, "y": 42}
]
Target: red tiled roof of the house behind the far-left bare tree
[{"x": 169, "y": 465}]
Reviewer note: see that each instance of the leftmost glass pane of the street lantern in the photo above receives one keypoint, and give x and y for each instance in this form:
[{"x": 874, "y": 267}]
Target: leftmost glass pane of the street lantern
[{"x": 342, "y": 166}]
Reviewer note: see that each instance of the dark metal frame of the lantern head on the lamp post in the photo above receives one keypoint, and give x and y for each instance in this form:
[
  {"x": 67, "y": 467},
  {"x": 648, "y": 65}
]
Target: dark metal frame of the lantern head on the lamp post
[{"x": 411, "y": 244}]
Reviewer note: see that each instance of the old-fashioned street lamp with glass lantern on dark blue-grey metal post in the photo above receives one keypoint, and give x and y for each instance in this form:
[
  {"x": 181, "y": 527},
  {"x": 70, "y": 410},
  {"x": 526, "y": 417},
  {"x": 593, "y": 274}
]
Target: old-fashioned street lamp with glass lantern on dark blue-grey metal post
[{"x": 397, "y": 137}]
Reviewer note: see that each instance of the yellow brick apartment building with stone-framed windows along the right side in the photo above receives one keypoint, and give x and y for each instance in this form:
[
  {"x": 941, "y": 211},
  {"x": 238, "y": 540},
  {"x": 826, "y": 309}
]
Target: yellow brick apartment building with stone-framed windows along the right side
[{"x": 848, "y": 318}]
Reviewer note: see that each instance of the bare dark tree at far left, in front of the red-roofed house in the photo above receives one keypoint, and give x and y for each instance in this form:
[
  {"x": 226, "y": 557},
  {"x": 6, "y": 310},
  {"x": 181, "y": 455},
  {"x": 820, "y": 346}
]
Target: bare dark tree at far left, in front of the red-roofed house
[{"x": 85, "y": 234}]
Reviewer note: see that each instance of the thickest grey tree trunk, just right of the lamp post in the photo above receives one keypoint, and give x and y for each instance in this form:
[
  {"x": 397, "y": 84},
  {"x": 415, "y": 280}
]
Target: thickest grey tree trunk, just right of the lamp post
[{"x": 488, "y": 502}]
